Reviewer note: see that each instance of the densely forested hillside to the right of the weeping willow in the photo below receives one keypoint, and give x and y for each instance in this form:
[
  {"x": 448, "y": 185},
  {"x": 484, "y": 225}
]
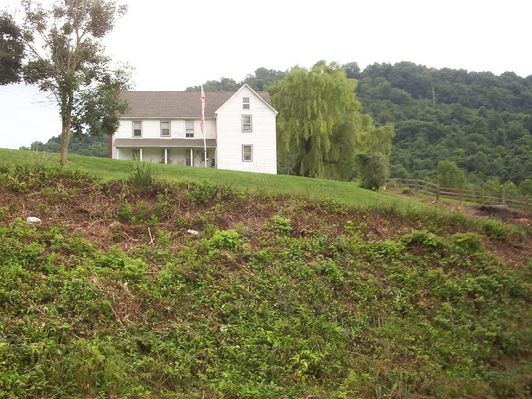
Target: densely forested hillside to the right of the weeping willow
[{"x": 481, "y": 121}]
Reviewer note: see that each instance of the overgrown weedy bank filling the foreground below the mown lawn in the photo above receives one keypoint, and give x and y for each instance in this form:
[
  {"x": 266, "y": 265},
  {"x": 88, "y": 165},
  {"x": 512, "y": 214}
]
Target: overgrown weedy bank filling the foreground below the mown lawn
[{"x": 277, "y": 298}]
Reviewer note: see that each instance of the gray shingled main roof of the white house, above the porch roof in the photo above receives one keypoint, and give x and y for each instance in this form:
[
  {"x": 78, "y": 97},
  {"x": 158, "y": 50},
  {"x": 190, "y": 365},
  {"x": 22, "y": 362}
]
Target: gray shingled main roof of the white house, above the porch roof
[{"x": 175, "y": 104}]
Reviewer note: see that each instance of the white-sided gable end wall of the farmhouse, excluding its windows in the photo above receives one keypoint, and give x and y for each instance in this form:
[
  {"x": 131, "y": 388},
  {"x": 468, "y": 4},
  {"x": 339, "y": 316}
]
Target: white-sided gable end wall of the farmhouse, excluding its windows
[{"x": 230, "y": 137}]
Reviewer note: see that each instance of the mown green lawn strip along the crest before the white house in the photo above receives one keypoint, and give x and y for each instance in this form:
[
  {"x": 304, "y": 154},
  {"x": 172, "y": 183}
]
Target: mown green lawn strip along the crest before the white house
[{"x": 106, "y": 169}]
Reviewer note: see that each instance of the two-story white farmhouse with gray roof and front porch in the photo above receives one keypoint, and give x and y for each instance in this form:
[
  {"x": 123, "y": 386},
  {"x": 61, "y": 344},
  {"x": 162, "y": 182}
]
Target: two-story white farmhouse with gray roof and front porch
[{"x": 164, "y": 126}]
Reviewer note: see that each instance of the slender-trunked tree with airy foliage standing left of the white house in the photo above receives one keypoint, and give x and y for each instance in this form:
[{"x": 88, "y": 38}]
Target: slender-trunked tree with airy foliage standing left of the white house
[{"x": 65, "y": 57}]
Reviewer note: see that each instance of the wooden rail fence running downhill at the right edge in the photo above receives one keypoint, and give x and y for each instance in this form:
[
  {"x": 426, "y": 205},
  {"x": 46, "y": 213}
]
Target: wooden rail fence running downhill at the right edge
[{"x": 477, "y": 196}]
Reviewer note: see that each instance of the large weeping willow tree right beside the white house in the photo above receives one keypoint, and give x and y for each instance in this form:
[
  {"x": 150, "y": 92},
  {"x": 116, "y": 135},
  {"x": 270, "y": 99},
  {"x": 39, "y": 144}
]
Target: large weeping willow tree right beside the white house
[{"x": 320, "y": 123}]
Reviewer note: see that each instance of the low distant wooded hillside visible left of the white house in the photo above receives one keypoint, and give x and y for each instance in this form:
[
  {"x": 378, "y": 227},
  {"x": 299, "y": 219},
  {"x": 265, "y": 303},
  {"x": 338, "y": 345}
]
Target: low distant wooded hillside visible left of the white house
[{"x": 86, "y": 145}]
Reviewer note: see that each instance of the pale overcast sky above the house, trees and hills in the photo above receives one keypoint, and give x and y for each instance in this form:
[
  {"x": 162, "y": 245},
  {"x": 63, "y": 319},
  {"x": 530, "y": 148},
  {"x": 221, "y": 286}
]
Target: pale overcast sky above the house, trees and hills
[{"x": 174, "y": 44}]
